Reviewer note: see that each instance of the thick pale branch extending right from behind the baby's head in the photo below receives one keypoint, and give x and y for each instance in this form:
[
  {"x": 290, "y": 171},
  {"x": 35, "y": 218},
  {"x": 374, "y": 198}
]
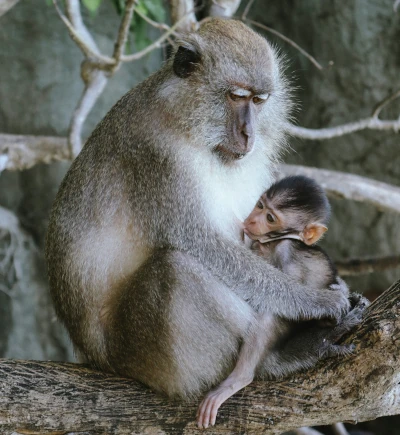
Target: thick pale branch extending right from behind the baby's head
[{"x": 348, "y": 186}]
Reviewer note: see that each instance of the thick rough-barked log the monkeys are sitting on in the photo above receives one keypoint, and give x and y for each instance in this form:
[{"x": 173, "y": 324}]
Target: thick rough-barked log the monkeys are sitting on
[{"x": 60, "y": 398}]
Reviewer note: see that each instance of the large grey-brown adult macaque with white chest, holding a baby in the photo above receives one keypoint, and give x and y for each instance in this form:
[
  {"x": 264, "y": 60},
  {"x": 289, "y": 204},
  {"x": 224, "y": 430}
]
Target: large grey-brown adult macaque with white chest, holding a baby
[{"x": 146, "y": 266}]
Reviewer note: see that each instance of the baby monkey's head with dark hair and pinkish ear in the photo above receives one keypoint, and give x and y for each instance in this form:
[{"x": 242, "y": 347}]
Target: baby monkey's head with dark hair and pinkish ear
[{"x": 293, "y": 206}]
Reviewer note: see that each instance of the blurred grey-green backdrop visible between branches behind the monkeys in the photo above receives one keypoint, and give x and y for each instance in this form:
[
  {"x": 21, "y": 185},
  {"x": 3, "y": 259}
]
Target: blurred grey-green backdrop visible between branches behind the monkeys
[{"x": 358, "y": 44}]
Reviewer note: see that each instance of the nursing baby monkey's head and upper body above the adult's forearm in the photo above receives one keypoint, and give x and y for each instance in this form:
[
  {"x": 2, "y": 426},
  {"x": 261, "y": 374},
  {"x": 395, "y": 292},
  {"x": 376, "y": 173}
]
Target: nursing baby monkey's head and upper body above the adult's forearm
[{"x": 294, "y": 216}]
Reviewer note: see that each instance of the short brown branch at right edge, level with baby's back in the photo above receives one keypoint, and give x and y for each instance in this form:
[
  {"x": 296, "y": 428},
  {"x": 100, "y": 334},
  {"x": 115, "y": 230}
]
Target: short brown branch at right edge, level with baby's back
[{"x": 361, "y": 266}]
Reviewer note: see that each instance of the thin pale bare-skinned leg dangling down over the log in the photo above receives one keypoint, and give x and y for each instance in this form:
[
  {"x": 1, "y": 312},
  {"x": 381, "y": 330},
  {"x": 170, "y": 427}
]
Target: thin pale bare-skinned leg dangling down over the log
[{"x": 261, "y": 338}]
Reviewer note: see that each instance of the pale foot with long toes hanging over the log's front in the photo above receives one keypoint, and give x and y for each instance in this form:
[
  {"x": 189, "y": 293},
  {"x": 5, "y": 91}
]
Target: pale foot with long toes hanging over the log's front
[{"x": 208, "y": 408}]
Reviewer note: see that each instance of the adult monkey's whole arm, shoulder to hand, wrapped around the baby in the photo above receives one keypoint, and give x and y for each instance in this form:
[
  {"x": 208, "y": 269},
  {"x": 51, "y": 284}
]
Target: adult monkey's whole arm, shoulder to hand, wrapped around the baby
[{"x": 183, "y": 223}]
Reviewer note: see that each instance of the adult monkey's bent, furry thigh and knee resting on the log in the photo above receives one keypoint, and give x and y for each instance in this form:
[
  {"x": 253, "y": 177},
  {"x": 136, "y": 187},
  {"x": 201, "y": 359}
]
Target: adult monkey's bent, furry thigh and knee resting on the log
[{"x": 174, "y": 326}]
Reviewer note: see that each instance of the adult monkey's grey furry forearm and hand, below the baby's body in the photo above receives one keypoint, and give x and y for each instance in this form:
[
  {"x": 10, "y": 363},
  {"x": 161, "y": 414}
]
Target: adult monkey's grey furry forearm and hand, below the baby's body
[{"x": 262, "y": 285}]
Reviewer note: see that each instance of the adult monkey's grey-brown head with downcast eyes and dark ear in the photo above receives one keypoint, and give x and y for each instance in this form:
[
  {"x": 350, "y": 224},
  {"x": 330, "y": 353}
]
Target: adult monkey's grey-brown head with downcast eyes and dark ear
[{"x": 228, "y": 78}]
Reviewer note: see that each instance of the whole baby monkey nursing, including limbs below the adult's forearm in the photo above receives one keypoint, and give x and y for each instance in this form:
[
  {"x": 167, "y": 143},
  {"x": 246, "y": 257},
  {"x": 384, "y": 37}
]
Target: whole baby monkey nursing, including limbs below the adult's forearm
[{"x": 289, "y": 218}]
